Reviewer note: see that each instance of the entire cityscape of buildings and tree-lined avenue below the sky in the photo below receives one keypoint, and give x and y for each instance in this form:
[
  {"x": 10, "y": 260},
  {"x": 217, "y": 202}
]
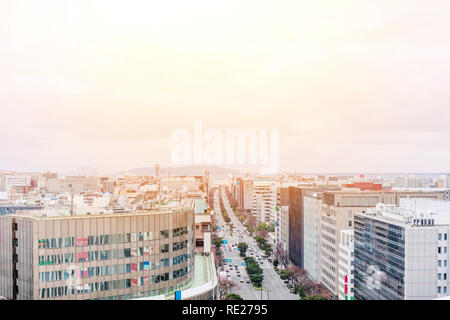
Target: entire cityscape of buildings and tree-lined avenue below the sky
[{"x": 168, "y": 237}]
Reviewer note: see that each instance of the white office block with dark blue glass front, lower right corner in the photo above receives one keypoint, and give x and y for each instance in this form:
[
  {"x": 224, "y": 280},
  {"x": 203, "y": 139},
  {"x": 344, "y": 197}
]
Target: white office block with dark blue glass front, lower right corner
[{"x": 401, "y": 252}]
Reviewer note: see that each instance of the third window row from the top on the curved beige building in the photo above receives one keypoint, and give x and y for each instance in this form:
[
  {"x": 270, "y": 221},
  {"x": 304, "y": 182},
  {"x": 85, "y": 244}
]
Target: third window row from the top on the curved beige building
[{"x": 108, "y": 270}]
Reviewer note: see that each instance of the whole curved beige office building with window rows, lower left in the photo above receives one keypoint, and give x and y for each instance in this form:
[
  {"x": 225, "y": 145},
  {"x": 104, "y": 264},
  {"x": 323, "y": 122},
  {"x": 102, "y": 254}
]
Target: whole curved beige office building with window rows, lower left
[{"x": 97, "y": 256}]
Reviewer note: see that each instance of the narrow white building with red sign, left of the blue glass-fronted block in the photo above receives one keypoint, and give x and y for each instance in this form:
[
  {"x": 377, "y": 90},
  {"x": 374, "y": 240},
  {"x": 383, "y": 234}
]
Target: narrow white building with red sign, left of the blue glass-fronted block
[{"x": 346, "y": 268}]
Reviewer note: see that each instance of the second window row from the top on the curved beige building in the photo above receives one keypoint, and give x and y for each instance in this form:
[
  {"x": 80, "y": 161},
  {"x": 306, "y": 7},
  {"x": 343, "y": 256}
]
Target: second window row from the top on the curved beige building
[{"x": 101, "y": 255}]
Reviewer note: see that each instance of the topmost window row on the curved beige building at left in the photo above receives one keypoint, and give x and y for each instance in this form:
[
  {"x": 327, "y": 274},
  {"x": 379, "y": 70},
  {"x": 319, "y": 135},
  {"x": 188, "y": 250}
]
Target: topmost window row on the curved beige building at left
[{"x": 57, "y": 243}]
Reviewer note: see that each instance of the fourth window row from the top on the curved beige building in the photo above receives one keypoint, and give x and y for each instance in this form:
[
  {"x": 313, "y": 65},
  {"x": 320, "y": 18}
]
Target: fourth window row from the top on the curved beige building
[{"x": 110, "y": 285}]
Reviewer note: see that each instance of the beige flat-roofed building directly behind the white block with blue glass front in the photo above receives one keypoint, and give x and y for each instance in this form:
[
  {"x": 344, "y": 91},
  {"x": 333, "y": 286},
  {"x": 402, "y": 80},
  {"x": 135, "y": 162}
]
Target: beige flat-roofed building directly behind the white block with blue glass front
[{"x": 337, "y": 212}]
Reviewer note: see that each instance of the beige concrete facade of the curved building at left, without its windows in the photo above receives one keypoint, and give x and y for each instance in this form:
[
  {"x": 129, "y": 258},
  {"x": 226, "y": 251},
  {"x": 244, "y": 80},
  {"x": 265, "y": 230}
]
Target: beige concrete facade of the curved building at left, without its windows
[{"x": 80, "y": 230}]
